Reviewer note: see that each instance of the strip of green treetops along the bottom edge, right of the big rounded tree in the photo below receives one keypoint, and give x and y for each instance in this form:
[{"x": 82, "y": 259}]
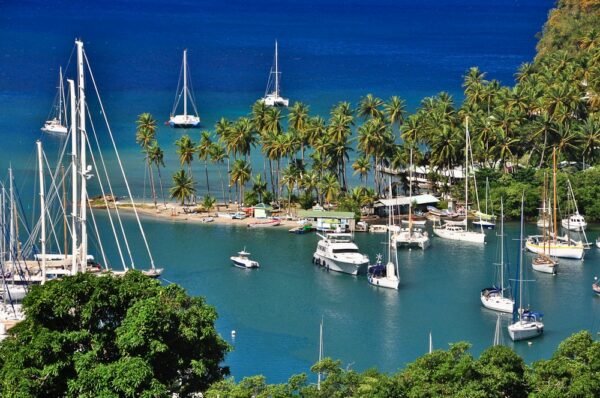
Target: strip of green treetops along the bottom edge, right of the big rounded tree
[{"x": 573, "y": 371}]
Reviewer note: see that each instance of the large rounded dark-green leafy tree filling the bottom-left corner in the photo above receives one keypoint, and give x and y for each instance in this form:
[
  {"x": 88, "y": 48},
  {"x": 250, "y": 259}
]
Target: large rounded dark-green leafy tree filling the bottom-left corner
[{"x": 90, "y": 336}]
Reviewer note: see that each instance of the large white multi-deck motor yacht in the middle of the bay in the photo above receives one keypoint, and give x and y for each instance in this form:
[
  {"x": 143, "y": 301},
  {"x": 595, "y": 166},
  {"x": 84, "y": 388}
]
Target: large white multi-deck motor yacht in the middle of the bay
[{"x": 338, "y": 252}]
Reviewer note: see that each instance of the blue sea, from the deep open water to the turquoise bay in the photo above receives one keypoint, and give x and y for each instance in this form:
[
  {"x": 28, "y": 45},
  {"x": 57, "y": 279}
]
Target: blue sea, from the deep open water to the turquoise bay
[{"x": 330, "y": 51}]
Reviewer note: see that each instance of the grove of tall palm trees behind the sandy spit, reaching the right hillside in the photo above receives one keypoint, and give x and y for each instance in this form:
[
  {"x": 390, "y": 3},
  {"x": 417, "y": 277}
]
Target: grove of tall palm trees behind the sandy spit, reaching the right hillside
[{"x": 554, "y": 103}]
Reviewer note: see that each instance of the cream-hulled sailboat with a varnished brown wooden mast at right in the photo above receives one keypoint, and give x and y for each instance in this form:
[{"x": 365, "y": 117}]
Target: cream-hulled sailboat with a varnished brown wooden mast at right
[{"x": 552, "y": 244}]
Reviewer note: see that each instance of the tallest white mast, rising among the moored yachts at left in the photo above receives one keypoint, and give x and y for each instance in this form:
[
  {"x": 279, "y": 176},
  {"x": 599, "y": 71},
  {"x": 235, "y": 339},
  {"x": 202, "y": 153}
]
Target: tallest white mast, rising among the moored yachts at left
[{"x": 82, "y": 156}]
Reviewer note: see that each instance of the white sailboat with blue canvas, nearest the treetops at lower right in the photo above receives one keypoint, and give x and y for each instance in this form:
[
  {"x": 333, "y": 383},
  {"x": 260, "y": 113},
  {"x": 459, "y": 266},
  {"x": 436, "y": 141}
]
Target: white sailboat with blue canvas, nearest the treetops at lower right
[{"x": 526, "y": 324}]
